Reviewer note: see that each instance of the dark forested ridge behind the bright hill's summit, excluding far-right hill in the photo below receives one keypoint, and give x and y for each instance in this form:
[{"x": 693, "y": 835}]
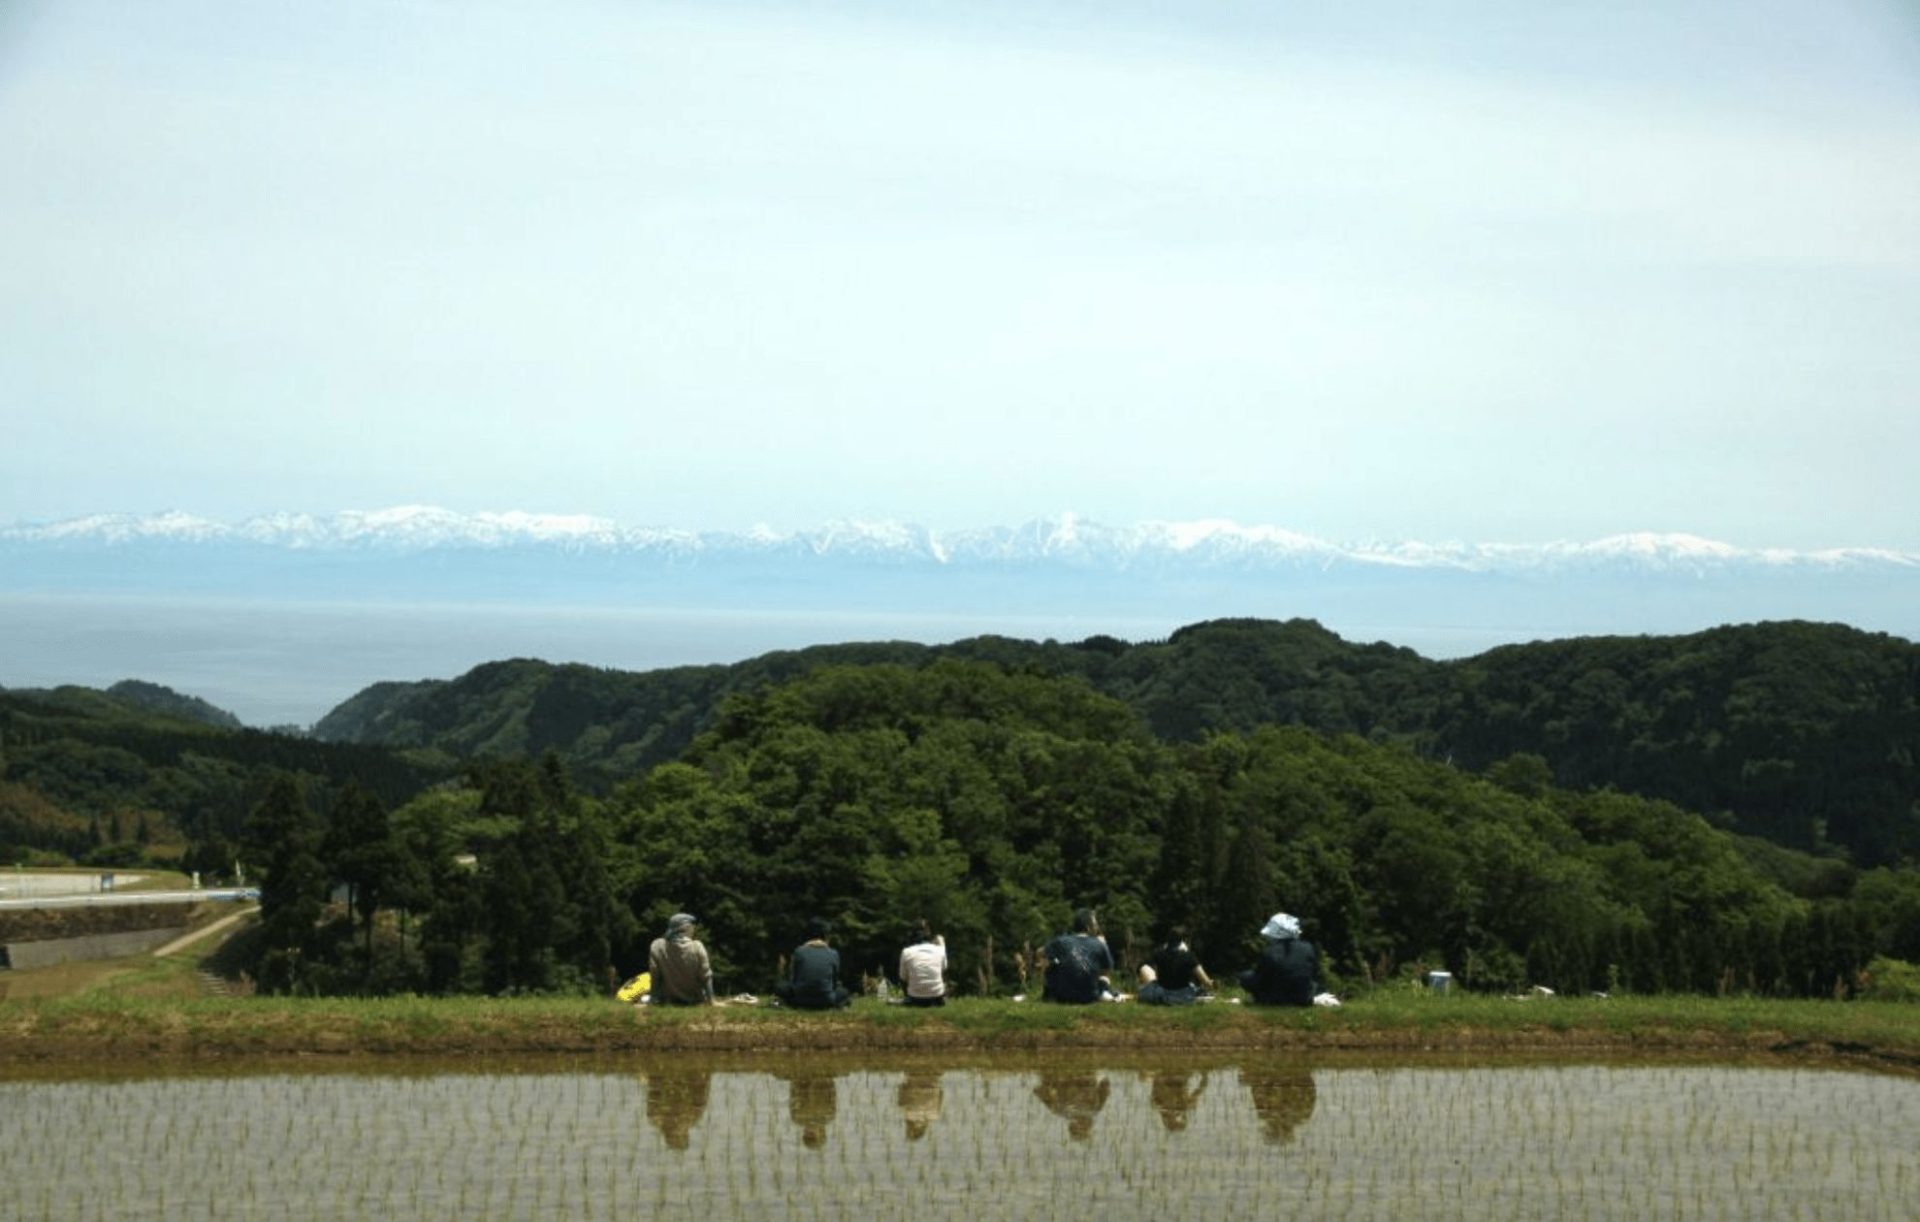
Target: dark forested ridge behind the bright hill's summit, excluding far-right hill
[{"x": 608, "y": 725}]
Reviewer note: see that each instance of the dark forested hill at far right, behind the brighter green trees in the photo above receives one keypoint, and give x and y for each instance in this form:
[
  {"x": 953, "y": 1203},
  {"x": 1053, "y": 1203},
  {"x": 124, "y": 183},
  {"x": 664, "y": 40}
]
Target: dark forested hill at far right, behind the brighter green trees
[{"x": 1804, "y": 733}]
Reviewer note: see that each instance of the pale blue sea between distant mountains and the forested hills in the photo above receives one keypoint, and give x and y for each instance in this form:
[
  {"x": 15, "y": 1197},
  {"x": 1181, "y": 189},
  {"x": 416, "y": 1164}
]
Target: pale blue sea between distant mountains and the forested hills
[{"x": 276, "y": 664}]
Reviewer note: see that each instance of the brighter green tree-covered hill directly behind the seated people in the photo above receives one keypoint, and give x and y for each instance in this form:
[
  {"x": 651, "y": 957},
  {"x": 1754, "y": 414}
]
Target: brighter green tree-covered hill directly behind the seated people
[{"x": 996, "y": 802}]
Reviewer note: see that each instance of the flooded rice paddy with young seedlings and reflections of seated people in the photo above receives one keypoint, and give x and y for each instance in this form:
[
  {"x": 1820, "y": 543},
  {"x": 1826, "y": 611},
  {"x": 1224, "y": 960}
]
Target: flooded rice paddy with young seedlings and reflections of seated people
[{"x": 1042, "y": 1138}]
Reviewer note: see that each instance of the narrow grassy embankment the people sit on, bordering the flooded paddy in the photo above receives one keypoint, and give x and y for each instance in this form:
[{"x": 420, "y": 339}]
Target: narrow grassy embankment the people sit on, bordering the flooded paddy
[{"x": 145, "y": 1014}]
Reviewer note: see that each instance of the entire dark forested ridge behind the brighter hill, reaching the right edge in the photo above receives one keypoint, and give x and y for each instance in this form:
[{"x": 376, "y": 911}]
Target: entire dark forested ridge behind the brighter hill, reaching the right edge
[{"x": 1798, "y": 733}]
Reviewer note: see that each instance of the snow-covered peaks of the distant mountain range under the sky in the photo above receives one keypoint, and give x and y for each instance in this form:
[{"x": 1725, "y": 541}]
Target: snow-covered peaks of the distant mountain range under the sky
[{"x": 1065, "y": 541}]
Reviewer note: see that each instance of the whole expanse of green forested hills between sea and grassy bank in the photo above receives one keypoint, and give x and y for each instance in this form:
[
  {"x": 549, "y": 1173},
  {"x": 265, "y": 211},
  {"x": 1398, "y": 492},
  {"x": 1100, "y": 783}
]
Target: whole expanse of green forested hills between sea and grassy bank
[{"x": 1721, "y": 812}]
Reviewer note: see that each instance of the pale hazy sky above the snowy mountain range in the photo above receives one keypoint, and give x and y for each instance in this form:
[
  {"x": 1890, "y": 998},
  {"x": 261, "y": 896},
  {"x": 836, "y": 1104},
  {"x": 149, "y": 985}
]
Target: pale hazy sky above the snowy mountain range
[{"x": 1493, "y": 272}]
